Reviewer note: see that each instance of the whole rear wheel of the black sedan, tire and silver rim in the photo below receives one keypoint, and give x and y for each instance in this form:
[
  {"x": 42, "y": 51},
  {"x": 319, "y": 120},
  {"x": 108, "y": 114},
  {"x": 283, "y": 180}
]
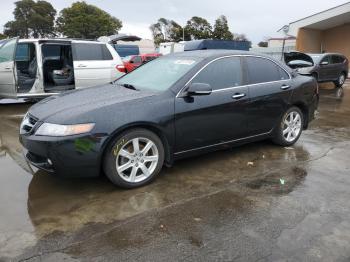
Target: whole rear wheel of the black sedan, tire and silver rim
[{"x": 288, "y": 135}]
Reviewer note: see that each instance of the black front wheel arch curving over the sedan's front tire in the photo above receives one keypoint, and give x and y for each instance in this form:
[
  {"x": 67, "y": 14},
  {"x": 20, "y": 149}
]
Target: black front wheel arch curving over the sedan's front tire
[{"x": 144, "y": 125}]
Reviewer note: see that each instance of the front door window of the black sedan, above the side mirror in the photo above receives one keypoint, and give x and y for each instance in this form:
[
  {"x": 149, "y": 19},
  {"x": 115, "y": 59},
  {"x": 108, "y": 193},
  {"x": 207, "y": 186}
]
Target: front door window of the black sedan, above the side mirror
[{"x": 222, "y": 73}]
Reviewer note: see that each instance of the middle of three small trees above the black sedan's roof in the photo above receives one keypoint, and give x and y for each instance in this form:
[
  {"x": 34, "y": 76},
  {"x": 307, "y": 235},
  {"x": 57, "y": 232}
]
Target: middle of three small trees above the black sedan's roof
[{"x": 198, "y": 28}]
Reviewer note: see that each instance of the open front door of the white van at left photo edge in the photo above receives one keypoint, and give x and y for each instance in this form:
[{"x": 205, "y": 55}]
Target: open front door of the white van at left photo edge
[{"x": 8, "y": 83}]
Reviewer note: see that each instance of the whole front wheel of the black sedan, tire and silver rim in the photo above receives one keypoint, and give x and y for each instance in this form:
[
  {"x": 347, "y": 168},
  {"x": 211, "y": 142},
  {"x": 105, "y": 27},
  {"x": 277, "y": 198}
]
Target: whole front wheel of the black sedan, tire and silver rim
[{"x": 128, "y": 168}]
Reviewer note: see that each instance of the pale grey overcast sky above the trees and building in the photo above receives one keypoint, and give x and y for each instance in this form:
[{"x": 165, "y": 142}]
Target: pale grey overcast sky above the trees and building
[{"x": 257, "y": 19}]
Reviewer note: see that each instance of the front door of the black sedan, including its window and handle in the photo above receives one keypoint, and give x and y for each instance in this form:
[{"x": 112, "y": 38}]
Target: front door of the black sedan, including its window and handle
[{"x": 216, "y": 118}]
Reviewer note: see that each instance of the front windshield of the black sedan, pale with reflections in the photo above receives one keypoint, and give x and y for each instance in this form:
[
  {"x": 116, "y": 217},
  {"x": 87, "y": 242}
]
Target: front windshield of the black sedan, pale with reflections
[{"x": 160, "y": 74}]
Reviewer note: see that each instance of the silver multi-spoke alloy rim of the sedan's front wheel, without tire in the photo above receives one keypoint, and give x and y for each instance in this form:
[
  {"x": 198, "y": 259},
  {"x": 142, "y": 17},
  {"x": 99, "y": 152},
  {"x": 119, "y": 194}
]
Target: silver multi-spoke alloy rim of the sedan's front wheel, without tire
[{"x": 137, "y": 159}]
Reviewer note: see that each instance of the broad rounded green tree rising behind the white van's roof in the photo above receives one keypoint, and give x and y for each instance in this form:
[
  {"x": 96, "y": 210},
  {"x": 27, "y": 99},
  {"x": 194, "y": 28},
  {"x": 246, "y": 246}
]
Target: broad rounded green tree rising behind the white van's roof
[{"x": 82, "y": 20}]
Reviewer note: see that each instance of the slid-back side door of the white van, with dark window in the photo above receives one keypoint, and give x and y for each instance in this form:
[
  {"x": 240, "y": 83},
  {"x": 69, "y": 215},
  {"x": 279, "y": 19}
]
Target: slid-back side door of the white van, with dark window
[{"x": 93, "y": 64}]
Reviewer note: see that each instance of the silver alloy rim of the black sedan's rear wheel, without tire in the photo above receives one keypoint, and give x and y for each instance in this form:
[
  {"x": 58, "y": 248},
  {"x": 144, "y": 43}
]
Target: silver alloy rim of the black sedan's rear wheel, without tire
[{"x": 291, "y": 126}]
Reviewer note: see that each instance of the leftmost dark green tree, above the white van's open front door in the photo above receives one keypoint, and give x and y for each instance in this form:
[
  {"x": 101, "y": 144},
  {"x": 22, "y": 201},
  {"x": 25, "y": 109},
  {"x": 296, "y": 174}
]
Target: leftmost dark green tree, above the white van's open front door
[{"x": 32, "y": 19}]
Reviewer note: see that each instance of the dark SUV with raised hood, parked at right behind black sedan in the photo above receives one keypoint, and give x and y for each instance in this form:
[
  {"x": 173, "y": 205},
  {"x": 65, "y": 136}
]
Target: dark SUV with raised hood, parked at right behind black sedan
[{"x": 326, "y": 67}]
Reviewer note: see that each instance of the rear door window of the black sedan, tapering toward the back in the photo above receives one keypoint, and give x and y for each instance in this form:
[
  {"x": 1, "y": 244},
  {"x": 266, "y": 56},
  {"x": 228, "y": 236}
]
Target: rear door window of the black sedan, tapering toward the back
[{"x": 261, "y": 70}]
